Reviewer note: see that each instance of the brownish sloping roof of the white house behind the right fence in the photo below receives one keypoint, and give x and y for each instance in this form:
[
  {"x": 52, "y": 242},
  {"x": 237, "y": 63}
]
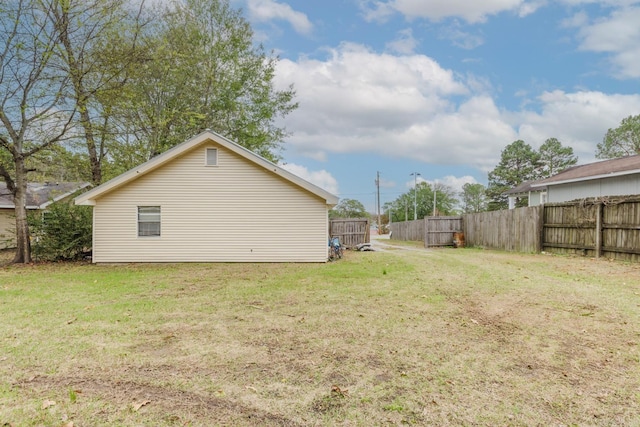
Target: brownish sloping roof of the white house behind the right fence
[{"x": 604, "y": 169}]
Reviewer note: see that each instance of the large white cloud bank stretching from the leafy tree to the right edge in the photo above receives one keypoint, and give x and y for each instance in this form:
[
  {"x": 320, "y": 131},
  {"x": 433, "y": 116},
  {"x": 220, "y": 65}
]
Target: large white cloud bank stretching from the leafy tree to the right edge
[{"x": 359, "y": 101}]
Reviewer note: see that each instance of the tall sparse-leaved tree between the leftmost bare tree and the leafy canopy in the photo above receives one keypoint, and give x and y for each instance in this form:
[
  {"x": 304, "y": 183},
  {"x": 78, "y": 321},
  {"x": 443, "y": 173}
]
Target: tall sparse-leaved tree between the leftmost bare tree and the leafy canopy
[{"x": 98, "y": 48}]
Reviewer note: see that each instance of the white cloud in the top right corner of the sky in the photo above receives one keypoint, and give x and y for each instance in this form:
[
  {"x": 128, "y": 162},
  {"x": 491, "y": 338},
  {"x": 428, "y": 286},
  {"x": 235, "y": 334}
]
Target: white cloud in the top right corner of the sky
[{"x": 619, "y": 35}]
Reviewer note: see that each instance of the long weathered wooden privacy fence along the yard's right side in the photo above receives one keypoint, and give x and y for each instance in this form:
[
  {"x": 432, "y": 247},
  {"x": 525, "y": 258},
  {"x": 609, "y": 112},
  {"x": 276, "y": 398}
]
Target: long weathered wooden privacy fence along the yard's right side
[{"x": 607, "y": 227}]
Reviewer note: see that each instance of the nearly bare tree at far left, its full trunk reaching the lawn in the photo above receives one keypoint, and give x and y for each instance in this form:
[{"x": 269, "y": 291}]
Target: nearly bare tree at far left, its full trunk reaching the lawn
[{"x": 32, "y": 93}]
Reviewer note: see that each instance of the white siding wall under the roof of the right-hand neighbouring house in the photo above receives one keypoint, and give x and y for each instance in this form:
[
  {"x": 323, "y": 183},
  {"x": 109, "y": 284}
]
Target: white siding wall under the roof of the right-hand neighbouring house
[{"x": 616, "y": 186}]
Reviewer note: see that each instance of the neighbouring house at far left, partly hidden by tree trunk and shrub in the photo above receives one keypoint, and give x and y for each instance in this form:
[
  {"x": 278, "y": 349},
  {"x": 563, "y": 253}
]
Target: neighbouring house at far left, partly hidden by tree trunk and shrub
[{"x": 39, "y": 197}]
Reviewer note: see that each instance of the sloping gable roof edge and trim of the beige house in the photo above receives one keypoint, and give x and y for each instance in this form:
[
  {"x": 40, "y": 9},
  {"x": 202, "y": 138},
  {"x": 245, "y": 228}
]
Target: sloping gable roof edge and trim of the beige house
[{"x": 89, "y": 198}]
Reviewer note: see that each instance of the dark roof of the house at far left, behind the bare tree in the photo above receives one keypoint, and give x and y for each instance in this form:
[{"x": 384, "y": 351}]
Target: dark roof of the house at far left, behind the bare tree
[{"x": 39, "y": 196}]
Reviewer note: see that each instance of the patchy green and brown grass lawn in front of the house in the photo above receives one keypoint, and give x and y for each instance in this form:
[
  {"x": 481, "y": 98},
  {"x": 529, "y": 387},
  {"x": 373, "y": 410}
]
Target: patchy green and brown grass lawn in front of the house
[{"x": 445, "y": 337}]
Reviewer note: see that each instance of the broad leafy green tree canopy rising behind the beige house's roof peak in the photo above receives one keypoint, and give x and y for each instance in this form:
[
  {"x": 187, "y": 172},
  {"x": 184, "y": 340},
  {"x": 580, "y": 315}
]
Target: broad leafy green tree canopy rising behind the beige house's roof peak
[{"x": 204, "y": 72}]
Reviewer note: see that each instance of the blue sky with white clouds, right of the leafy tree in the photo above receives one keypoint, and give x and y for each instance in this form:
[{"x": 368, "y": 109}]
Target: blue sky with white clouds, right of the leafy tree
[{"x": 440, "y": 87}]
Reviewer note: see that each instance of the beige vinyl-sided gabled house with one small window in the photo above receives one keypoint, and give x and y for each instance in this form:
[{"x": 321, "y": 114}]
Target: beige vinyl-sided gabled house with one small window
[{"x": 209, "y": 200}]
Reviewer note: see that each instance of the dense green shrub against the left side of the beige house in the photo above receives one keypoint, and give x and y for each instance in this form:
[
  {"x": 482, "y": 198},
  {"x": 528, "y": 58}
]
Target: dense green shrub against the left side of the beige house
[{"x": 62, "y": 232}]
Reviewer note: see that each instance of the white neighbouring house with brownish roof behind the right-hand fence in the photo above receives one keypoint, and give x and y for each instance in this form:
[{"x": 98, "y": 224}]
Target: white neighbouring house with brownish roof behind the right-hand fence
[{"x": 615, "y": 177}]
